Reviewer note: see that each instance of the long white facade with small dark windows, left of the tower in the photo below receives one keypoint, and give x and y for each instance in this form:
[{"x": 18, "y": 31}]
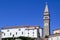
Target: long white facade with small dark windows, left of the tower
[{"x": 21, "y": 31}]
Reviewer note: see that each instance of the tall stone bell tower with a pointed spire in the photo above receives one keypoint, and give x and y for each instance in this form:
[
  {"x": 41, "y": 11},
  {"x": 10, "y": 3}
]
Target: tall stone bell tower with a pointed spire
[{"x": 46, "y": 21}]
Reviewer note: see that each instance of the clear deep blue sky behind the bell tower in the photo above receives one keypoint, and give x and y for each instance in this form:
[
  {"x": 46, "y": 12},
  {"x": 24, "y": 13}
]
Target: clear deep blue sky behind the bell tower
[{"x": 28, "y": 12}]
